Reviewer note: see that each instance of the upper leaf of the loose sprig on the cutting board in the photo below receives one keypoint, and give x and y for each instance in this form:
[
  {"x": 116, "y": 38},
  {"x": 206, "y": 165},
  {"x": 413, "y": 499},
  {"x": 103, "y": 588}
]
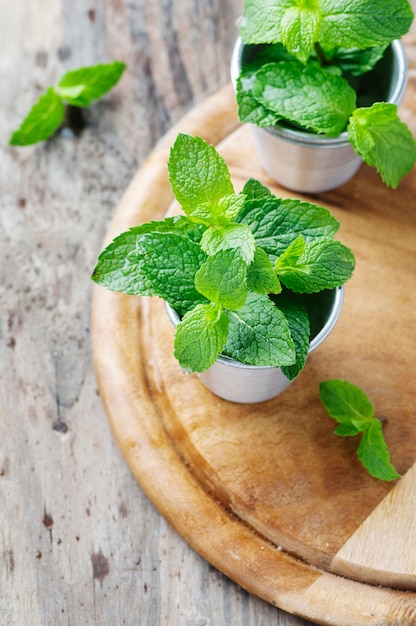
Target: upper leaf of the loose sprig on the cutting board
[{"x": 346, "y": 403}]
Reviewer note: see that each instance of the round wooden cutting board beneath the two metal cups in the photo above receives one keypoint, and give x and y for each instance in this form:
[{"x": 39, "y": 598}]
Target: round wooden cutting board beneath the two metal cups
[{"x": 267, "y": 493}]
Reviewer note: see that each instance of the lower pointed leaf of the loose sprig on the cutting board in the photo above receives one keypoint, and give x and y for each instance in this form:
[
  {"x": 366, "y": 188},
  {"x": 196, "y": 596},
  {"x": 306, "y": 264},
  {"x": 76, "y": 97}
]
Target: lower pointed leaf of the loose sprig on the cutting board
[{"x": 373, "y": 453}]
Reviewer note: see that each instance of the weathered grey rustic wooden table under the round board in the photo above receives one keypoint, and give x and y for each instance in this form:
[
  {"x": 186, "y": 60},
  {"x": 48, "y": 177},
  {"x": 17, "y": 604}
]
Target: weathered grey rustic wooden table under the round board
[{"x": 80, "y": 542}]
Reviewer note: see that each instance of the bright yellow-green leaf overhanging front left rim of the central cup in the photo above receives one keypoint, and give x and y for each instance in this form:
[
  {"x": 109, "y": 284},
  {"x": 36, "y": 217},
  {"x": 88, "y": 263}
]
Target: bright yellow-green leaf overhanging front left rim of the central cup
[{"x": 200, "y": 337}]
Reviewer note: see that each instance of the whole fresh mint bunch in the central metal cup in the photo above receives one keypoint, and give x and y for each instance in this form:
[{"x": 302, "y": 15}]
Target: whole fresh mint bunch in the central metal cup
[{"x": 230, "y": 265}]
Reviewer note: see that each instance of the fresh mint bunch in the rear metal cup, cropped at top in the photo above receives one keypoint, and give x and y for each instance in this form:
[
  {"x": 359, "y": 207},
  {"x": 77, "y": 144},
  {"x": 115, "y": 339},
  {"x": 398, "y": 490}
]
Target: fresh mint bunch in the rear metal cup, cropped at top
[{"x": 307, "y": 76}]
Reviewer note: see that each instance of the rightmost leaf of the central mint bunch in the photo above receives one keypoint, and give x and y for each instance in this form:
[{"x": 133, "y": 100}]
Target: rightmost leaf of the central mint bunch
[{"x": 322, "y": 265}]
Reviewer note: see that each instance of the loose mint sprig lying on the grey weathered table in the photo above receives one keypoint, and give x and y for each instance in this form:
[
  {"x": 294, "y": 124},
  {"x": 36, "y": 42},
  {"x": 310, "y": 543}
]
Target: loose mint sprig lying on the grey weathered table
[{"x": 79, "y": 88}]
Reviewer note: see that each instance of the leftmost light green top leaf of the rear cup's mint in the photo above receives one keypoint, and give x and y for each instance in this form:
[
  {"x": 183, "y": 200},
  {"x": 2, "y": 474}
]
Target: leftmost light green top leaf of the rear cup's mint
[{"x": 261, "y": 20}]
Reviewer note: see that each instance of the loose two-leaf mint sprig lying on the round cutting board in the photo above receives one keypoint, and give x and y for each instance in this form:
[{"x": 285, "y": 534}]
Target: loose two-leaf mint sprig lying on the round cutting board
[{"x": 352, "y": 409}]
